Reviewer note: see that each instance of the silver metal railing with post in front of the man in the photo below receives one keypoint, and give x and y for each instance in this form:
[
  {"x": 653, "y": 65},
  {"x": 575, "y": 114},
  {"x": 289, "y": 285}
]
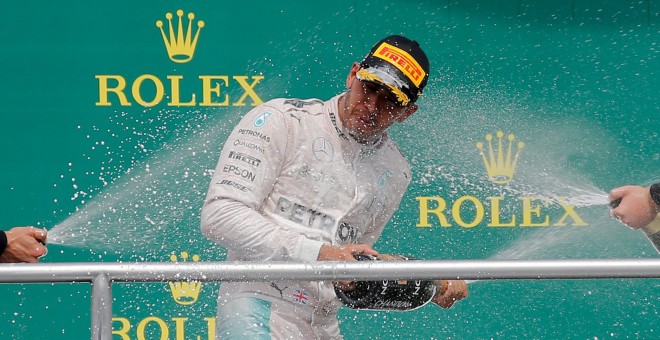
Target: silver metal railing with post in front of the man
[{"x": 103, "y": 275}]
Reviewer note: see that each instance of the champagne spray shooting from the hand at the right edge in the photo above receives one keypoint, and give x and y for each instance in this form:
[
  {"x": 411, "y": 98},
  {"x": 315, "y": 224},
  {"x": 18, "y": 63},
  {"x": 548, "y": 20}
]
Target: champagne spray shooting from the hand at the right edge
[{"x": 562, "y": 158}]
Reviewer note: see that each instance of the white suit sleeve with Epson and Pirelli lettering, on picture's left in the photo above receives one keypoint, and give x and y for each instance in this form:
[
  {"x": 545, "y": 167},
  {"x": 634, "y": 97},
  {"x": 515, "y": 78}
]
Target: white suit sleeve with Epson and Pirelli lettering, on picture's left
[{"x": 250, "y": 163}]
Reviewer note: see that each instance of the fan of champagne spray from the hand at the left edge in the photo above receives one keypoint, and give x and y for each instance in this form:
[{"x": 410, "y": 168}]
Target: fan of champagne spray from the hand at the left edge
[{"x": 154, "y": 200}]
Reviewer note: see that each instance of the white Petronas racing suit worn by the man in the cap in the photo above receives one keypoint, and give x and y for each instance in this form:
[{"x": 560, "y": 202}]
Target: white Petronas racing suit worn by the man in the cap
[{"x": 290, "y": 179}]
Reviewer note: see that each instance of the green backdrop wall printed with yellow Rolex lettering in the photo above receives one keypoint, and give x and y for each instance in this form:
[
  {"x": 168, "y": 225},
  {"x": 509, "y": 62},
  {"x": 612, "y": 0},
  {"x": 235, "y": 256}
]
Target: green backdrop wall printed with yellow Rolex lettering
[{"x": 109, "y": 144}]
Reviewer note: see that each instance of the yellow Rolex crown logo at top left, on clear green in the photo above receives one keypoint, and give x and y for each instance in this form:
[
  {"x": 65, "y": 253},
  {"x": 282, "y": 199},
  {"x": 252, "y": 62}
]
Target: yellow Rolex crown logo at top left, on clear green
[{"x": 180, "y": 45}]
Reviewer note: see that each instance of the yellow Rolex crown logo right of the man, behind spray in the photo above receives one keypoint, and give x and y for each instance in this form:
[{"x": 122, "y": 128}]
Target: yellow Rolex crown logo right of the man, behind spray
[{"x": 500, "y": 167}]
